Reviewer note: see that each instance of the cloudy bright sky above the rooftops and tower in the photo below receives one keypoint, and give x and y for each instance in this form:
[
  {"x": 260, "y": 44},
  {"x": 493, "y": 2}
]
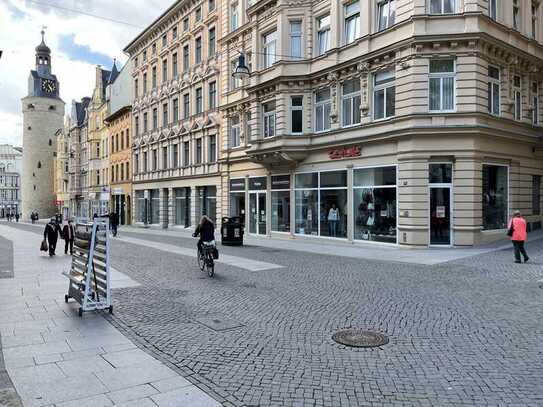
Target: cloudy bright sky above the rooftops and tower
[{"x": 78, "y": 43}]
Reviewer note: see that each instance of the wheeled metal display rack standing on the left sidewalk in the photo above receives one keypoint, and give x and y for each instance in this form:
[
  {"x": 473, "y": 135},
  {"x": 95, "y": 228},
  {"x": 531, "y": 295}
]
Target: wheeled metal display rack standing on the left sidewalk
[{"x": 90, "y": 282}]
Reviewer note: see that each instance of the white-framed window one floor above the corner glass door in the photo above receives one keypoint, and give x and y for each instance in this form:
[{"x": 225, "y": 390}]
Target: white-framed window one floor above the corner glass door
[{"x": 442, "y": 85}]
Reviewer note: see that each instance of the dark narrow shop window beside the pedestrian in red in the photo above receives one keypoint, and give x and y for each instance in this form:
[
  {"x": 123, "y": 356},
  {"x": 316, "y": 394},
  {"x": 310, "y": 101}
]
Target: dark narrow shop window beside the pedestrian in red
[{"x": 495, "y": 197}]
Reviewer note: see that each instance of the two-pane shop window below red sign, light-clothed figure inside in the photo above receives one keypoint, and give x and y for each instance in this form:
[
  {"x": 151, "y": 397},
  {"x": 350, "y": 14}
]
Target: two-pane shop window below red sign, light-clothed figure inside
[{"x": 321, "y": 203}]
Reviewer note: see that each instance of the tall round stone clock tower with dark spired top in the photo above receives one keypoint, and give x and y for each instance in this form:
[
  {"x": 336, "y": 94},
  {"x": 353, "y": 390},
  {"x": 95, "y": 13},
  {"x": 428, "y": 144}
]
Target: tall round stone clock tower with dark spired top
[{"x": 43, "y": 115}]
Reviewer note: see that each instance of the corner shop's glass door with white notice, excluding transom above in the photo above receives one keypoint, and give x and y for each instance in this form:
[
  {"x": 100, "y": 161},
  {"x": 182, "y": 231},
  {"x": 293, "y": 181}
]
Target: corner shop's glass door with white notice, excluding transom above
[{"x": 440, "y": 216}]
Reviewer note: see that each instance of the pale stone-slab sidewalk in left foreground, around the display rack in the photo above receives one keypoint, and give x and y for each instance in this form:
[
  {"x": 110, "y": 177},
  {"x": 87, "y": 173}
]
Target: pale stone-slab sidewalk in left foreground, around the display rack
[{"x": 54, "y": 358}]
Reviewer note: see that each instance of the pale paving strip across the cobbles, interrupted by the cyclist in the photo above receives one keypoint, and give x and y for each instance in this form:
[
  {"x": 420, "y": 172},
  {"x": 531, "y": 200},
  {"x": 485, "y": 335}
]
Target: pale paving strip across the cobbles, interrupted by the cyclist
[{"x": 241, "y": 262}]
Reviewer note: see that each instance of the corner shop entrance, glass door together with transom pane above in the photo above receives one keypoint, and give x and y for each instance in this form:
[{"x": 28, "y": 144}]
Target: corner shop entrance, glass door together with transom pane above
[{"x": 440, "y": 182}]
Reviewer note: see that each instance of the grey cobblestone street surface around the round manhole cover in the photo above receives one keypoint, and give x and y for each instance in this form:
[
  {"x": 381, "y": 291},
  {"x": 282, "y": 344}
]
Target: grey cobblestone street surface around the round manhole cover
[{"x": 464, "y": 333}]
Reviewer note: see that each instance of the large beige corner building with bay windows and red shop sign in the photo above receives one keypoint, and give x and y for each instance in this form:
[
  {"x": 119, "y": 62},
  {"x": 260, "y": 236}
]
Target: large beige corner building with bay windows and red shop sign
[{"x": 410, "y": 122}]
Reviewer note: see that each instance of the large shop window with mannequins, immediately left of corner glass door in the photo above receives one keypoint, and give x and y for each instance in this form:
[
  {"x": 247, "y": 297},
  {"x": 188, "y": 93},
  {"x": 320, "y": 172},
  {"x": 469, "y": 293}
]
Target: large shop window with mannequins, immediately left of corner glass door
[{"x": 374, "y": 204}]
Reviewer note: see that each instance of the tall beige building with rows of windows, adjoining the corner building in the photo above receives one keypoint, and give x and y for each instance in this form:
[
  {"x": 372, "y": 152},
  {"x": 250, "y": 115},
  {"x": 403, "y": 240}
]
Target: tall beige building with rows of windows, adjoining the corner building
[{"x": 176, "y": 123}]
